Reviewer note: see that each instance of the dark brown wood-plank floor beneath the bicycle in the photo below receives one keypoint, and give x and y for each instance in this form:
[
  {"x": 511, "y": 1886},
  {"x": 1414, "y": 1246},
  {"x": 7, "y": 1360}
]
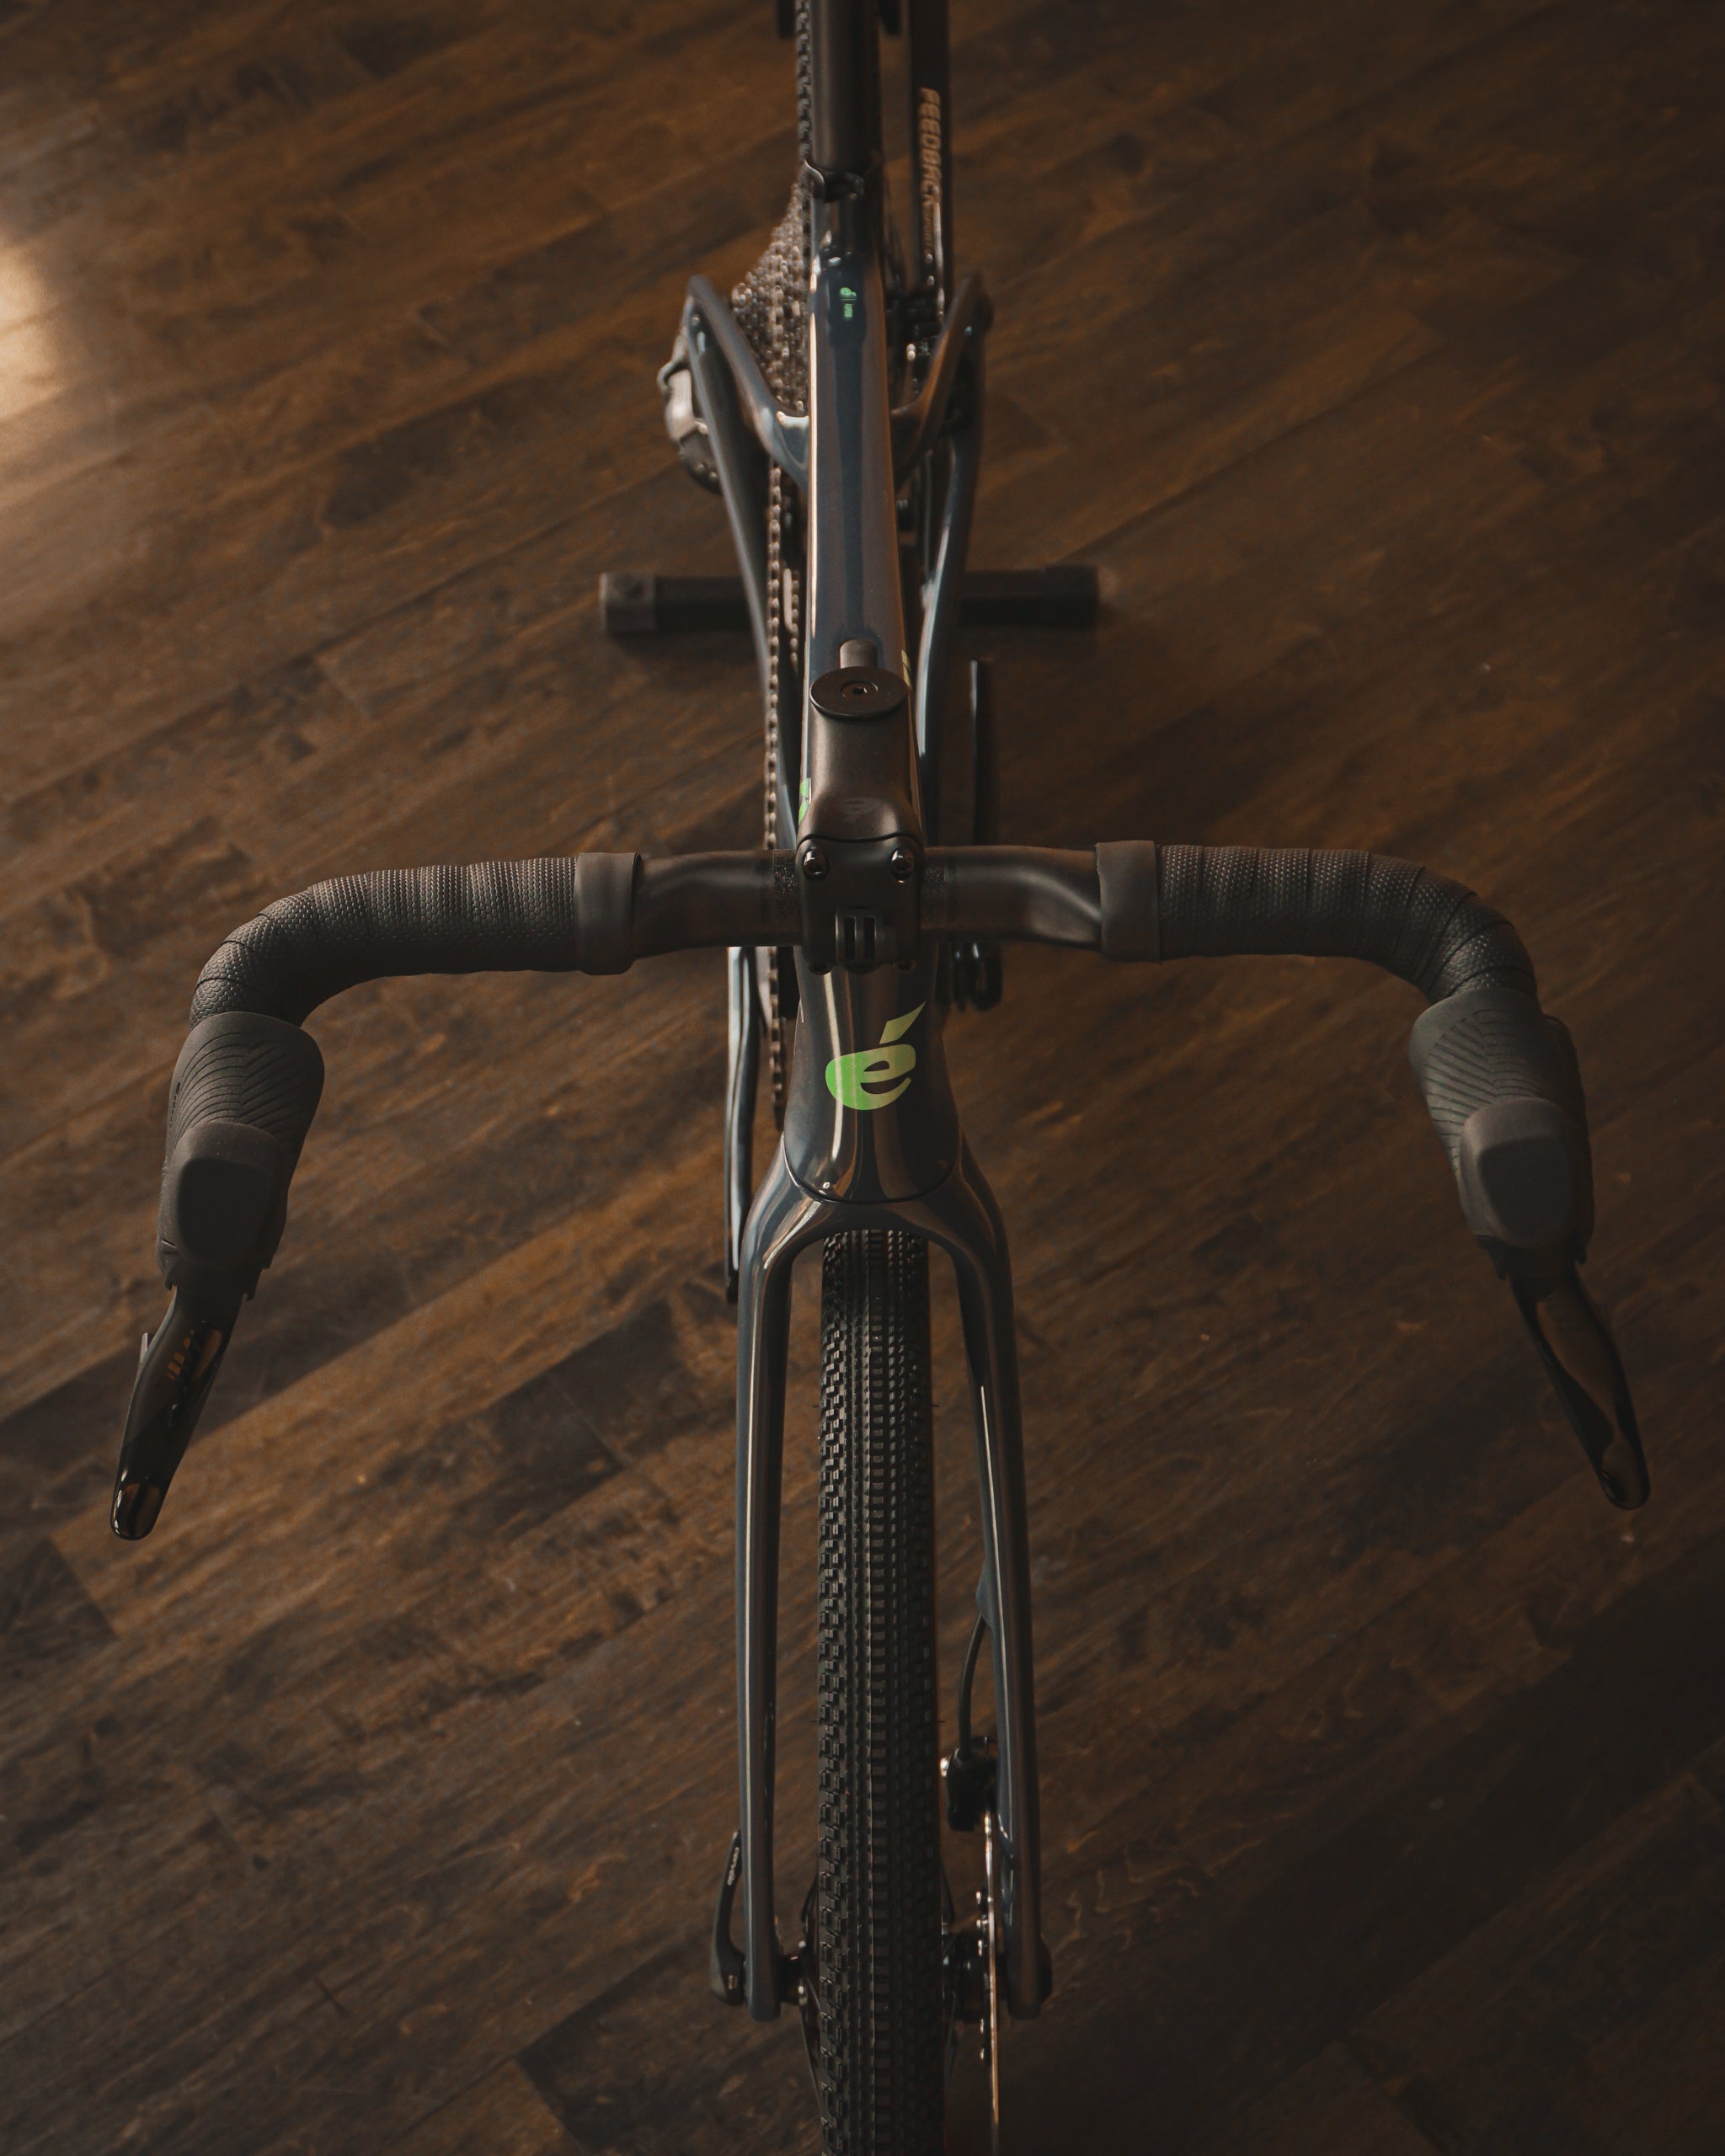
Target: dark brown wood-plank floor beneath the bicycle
[{"x": 1377, "y": 355}]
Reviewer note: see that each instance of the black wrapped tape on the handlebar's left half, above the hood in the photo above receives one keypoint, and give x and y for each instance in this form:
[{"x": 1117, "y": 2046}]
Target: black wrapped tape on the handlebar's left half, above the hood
[{"x": 560, "y": 915}]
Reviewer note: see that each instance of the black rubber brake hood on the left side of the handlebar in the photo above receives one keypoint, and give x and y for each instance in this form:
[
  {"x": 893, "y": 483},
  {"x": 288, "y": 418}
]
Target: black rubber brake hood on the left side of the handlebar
[{"x": 240, "y": 1107}]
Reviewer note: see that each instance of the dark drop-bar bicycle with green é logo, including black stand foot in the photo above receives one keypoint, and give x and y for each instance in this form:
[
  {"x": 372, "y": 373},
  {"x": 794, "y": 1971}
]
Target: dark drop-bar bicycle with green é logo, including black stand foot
[{"x": 838, "y": 411}]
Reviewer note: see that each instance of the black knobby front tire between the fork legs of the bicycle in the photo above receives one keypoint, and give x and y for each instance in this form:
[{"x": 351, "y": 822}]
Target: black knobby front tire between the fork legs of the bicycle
[{"x": 879, "y": 1894}]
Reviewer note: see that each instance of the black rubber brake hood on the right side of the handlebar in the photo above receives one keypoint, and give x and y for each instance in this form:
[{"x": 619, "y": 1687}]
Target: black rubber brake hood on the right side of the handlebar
[{"x": 1504, "y": 1092}]
